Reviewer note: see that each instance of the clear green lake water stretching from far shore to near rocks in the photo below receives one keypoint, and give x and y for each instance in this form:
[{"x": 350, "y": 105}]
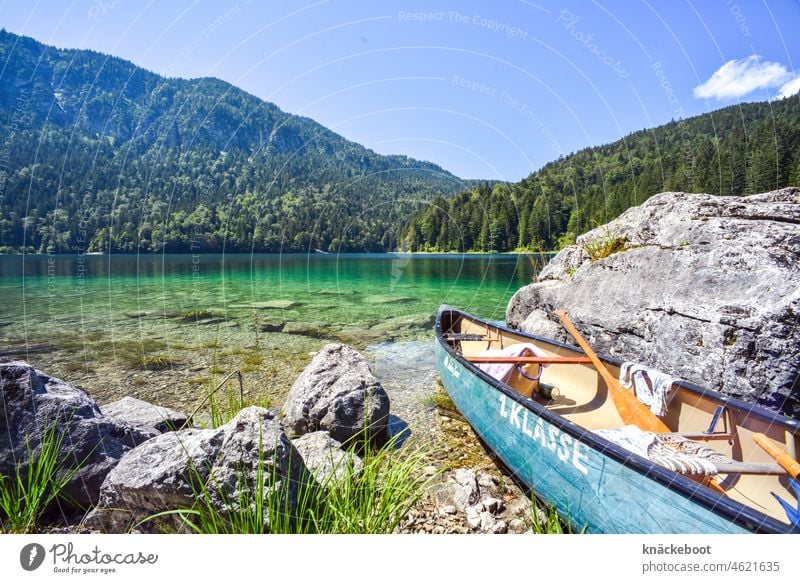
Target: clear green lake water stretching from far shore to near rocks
[{"x": 165, "y": 327}]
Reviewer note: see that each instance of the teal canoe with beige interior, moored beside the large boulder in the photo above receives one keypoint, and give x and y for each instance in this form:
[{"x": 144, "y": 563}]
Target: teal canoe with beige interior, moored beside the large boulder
[{"x": 553, "y": 447}]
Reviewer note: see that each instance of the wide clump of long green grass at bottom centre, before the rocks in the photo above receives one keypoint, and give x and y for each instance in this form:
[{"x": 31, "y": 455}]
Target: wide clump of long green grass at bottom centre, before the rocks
[{"x": 373, "y": 501}]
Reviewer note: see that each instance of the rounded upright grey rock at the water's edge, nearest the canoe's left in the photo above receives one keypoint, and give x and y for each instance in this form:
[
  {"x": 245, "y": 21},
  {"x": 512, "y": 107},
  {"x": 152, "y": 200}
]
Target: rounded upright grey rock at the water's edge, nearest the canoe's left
[{"x": 338, "y": 393}]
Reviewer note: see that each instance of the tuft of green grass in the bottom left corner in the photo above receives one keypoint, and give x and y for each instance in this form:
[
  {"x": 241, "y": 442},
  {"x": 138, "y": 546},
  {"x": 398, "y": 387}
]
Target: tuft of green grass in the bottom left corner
[{"x": 34, "y": 486}]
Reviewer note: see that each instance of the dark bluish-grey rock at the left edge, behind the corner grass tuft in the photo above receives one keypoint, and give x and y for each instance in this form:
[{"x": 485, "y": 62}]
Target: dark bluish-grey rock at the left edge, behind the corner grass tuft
[{"x": 33, "y": 401}]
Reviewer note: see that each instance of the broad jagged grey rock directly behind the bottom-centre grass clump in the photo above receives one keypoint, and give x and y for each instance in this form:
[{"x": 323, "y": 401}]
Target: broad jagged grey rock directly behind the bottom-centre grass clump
[{"x": 168, "y": 472}]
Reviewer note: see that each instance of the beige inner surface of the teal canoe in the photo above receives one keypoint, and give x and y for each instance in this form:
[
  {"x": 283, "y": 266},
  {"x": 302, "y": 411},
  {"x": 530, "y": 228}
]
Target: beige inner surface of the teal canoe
[{"x": 583, "y": 399}]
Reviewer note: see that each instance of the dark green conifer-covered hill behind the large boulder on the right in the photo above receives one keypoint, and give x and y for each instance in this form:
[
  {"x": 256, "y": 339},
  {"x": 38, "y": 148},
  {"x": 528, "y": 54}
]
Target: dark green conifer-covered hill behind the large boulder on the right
[{"x": 742, "y": 149}]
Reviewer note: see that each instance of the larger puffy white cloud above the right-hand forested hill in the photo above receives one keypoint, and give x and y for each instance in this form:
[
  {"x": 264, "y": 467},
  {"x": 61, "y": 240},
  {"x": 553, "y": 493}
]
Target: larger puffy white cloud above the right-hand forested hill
[{"x": 740, "y": 77}]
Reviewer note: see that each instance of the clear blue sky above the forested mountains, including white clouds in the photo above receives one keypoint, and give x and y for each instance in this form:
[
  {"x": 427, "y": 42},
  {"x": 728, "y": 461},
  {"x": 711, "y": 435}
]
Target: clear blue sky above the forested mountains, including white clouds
[{"x": 485, "y": 89}]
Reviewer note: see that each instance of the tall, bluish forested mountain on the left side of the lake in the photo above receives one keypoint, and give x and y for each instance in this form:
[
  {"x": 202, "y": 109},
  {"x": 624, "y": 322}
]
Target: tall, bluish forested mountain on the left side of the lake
[{"x": 97, "y": 154}]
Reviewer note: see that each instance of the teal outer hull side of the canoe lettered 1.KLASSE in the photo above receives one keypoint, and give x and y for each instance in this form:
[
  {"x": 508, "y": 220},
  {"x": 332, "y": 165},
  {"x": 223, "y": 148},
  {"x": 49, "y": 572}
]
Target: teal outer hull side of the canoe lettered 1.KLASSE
[{"x": 594, "y": 491}]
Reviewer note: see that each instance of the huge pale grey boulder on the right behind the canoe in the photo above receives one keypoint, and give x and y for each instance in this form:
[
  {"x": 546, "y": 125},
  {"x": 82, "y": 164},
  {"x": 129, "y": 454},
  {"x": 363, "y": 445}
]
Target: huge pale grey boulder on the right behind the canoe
[{"x": 706, "y": 288}]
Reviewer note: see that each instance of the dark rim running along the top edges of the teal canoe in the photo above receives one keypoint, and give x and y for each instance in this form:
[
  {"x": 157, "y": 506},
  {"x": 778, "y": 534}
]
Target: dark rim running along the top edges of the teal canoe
[{"x": 736, "y": 512}]
